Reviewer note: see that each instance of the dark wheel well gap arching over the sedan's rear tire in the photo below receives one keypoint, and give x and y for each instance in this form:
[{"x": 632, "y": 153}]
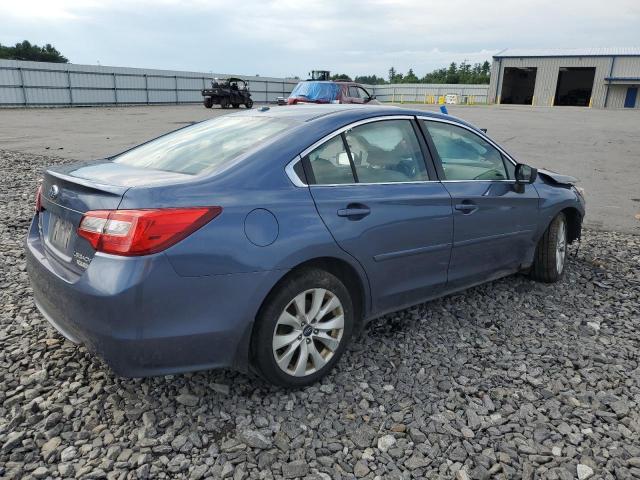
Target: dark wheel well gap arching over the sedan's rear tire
[{"x": 341, "y": 269}]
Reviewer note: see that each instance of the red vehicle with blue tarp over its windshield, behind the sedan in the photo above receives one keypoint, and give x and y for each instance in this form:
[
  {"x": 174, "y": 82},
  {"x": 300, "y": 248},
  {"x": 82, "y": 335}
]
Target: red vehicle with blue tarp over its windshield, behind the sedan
[{"x": 330, "y": 92}]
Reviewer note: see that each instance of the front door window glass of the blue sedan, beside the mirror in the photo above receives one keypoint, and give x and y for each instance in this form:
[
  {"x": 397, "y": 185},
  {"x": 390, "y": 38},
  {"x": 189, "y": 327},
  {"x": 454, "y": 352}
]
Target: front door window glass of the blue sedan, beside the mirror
[{"x": 465, "y": 155}]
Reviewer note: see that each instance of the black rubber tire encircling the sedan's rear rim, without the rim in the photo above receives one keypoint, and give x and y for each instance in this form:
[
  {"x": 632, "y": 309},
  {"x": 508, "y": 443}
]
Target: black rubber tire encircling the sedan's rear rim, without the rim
[{"x": 261, "y": 344}]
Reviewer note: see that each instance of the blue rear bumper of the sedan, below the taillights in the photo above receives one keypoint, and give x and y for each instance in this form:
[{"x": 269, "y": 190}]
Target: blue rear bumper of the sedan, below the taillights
[{"x": 144, "y": 319}]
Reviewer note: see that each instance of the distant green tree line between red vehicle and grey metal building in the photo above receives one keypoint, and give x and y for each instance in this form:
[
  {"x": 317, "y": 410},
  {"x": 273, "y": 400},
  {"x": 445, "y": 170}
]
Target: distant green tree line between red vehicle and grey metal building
[{"x": 464, "y": 73}]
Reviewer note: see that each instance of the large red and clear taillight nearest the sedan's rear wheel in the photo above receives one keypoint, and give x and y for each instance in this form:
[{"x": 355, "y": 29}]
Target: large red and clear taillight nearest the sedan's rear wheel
[{"x": 142, "y": 232}]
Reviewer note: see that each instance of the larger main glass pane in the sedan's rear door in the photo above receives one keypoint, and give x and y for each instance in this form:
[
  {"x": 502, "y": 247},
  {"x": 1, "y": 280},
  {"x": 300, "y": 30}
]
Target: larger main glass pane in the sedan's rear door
[{"x": 386, "y": 151}]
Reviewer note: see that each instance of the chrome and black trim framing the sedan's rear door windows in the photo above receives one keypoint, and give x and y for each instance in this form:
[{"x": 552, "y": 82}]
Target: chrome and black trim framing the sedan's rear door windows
[{"x": 303, "y": 157}]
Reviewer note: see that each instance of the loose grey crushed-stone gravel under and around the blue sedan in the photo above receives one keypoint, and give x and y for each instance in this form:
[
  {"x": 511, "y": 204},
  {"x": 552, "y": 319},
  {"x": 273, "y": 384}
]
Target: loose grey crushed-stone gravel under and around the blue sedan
[{"x": 513, "y": 379}]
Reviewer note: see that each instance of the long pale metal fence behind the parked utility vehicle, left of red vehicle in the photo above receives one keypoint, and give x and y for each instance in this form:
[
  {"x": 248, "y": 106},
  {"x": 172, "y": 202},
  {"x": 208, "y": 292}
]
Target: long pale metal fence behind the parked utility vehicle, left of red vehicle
[{"x": 61, "y": 84}]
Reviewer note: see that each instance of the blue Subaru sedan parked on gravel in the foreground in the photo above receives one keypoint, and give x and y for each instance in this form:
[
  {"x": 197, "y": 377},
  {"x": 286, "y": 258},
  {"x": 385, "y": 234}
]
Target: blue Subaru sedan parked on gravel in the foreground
[{"x": 264, "y": 240}]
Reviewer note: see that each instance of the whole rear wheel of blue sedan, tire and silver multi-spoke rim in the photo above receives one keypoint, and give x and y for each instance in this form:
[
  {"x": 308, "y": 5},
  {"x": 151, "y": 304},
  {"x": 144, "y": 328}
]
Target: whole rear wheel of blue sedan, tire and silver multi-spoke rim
[{"x": 303, "y": 329}]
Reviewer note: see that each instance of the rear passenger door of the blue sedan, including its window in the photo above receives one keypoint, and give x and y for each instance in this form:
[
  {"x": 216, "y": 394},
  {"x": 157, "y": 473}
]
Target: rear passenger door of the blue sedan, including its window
[{"x": 377, "y": 197}]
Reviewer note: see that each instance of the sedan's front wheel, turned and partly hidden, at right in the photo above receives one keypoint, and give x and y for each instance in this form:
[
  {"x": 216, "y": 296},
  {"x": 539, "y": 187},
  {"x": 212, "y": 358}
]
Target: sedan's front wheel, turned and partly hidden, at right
[{"x": 551, "y": 252}]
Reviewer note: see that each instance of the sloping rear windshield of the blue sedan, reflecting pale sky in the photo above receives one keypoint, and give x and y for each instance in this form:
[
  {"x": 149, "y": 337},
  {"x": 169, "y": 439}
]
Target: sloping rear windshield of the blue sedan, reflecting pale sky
[{"x": 204, "y": 147}]
